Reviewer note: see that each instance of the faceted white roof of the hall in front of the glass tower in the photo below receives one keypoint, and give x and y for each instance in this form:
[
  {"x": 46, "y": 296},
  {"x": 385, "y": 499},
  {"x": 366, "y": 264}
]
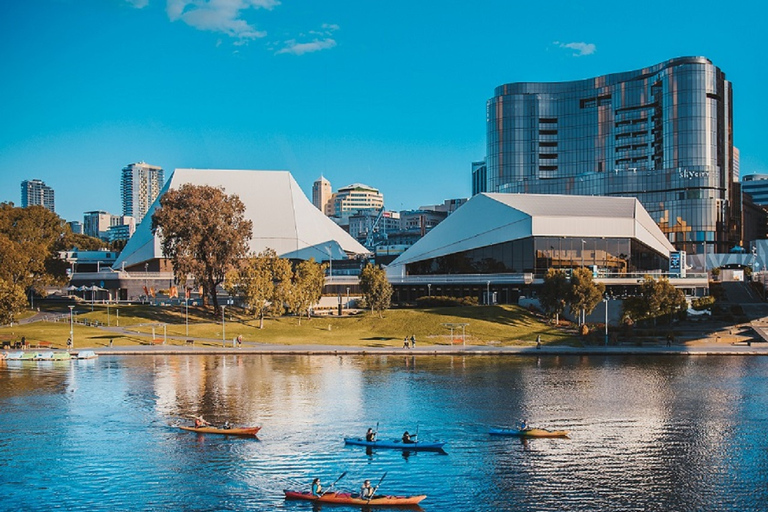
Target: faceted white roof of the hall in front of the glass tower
[{"x": 493, "y": 218}]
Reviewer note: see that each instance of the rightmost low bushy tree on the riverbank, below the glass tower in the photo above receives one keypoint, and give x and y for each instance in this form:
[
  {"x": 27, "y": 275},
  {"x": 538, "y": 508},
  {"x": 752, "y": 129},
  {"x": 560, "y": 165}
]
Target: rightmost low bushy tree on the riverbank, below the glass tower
[{"x": 655, "y": 299}]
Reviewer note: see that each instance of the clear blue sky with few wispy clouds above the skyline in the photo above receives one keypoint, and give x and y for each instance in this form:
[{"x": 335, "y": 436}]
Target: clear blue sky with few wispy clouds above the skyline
[{"x": 391, "y": 94}]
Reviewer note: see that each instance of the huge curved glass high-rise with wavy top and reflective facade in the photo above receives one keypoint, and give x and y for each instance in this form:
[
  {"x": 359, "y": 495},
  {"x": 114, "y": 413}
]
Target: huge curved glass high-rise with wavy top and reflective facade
[{"x": 662, "y": 134}]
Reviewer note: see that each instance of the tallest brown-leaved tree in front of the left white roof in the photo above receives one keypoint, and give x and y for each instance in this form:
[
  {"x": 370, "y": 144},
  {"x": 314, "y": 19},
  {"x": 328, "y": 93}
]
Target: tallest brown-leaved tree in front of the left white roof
[{"x": 204, "y": 234}]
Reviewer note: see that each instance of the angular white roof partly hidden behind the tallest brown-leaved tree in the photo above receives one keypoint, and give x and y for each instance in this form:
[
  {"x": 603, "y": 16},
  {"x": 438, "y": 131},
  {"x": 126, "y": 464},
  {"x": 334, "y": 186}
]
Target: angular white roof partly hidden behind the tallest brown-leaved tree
[{"x": 283, "y": 218}]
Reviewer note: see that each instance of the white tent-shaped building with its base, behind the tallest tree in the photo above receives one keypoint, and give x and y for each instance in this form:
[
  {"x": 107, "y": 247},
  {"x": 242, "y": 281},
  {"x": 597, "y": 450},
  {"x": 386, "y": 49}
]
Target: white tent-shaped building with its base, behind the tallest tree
[{"x": 283, "y": 220}]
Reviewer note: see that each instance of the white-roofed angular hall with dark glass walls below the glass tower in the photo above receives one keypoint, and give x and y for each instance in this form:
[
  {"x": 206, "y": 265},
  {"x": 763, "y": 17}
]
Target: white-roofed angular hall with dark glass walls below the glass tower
[{"x": 498, "y": 246}]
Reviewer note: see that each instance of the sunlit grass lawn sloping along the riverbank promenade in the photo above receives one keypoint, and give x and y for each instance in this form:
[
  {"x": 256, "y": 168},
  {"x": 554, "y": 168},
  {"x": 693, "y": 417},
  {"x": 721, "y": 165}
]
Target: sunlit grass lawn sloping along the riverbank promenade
[{"x": 496, "y": 325}]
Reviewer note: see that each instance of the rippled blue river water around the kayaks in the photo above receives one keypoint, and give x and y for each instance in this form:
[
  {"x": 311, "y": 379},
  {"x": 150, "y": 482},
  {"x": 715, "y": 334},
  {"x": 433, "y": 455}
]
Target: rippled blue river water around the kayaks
[{"x": 647, "y": 433}]
